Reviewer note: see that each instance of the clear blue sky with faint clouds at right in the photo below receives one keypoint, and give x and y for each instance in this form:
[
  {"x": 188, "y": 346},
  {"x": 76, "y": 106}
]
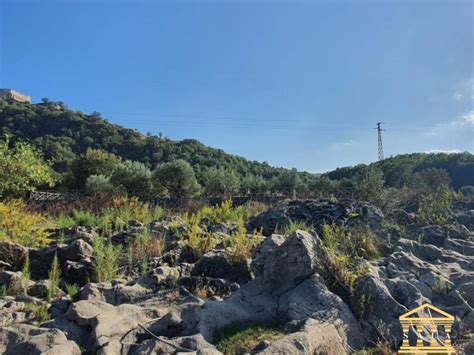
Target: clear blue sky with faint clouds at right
[{"x": 294, "y": 83}]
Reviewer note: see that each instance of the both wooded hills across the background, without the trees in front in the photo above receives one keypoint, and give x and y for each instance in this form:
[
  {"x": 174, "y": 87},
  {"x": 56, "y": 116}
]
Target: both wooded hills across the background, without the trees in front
[{"x": 64, "y": 135}]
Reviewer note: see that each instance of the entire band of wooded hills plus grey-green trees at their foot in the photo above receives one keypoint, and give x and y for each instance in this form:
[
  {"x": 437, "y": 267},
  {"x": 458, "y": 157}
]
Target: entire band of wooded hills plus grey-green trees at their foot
[{"x": 89, "y": 153}]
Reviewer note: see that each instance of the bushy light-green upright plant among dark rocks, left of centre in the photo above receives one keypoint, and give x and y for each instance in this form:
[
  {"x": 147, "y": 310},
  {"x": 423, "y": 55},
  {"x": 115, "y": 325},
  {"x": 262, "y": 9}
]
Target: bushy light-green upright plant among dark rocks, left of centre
[{"x": 106, "y": 260}]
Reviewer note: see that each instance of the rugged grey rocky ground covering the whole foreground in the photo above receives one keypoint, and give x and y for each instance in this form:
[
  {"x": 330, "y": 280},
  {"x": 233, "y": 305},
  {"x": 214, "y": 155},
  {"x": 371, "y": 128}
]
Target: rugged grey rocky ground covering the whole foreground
[{"x": 291, "y": 281}]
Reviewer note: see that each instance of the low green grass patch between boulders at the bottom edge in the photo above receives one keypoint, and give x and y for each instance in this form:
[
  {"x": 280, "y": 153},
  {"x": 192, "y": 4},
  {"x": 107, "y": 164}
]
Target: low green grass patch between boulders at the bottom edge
[{"x": 238, "y": 339}]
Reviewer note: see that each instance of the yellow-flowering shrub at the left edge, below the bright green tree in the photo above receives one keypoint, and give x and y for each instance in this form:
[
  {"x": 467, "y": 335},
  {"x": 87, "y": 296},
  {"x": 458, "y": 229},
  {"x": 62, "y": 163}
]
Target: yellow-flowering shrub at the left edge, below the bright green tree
[{"x": 19, "y": 226}]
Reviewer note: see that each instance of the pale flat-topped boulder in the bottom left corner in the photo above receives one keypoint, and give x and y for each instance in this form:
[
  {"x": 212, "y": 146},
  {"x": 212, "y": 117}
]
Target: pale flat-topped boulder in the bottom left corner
[{"x": 23, "y": 339}]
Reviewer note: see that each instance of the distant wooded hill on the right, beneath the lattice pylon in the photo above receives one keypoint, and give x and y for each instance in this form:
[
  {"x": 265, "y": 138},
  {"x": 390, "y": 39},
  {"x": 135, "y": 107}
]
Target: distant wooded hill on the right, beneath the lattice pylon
[{"x": 398, "y": 169}]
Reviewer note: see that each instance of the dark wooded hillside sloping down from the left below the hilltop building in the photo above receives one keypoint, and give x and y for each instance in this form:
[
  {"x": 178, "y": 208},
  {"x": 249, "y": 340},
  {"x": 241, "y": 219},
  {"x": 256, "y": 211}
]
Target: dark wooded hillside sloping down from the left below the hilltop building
[{"x": 62, "y": 134}]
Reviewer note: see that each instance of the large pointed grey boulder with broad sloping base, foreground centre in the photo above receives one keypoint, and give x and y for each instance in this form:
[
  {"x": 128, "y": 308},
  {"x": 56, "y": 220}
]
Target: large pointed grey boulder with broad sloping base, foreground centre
[{"x": 288, "y": 291}]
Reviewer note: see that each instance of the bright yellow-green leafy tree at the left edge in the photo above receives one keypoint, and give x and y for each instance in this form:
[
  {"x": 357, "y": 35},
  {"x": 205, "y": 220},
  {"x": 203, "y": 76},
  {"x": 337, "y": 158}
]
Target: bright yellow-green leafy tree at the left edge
[{"x": 22, "y": 169}]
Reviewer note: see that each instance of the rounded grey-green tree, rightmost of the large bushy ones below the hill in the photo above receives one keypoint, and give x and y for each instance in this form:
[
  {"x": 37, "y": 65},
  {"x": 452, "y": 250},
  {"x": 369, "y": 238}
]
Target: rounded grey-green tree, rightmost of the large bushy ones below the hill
[{"x": 176, "y": 179}]
